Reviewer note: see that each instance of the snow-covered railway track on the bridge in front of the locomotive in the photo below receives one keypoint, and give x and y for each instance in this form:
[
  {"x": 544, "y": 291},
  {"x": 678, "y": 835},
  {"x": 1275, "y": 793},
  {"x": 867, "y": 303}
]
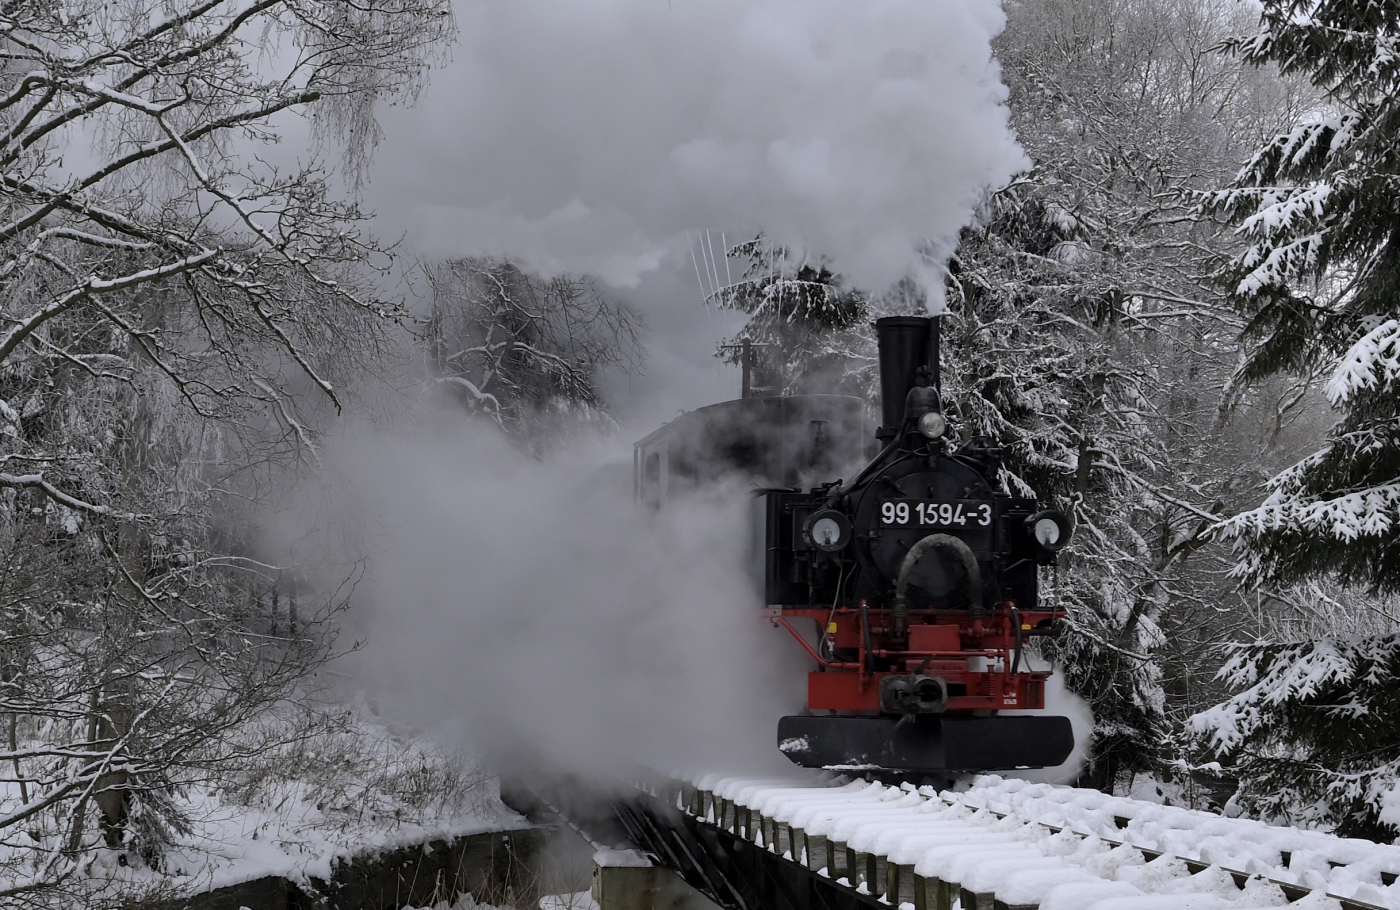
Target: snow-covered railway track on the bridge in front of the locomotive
[{"x": 1007, "y": 845}]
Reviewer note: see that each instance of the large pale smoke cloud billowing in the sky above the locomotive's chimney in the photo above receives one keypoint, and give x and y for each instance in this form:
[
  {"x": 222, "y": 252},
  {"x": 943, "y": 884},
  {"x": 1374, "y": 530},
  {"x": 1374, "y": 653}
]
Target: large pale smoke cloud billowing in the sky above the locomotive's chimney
[{"x": 591, "y": 135}]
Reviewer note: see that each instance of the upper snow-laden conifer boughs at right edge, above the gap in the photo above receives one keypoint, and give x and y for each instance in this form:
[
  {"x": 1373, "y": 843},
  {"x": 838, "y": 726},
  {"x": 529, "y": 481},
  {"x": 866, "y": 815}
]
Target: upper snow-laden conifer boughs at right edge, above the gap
[{"x": 1319, "y": 281}]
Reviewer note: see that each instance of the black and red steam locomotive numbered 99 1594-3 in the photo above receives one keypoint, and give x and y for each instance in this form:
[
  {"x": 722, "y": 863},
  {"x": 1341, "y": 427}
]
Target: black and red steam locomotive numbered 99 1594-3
[{"x": 919, "y": 575}]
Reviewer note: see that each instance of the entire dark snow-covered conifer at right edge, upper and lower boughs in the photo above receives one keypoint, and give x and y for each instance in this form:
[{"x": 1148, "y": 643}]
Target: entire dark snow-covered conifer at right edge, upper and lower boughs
[{"x": 1312, "y": 734}]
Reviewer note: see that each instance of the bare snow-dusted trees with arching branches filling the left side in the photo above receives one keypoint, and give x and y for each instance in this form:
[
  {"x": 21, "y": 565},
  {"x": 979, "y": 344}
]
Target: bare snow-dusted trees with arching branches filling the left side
[{"x": 176, "y": 314}]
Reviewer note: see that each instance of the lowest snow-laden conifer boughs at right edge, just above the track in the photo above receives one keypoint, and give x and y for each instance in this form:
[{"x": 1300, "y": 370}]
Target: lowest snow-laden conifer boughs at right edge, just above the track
[{"x": 1311, "y": 733}]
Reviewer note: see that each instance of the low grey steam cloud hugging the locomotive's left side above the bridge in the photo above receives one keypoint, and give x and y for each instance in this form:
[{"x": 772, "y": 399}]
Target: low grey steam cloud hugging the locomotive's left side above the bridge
[{"x": 551, "y": 624}]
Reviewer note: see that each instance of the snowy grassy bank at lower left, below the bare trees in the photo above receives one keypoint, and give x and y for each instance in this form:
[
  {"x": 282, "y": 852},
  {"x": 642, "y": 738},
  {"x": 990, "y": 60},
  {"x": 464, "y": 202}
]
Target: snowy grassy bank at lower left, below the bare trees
[{"x": 348, "y": 787}]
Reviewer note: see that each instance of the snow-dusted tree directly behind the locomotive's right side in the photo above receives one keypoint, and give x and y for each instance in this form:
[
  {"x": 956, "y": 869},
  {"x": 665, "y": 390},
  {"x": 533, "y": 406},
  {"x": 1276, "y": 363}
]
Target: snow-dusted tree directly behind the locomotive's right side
[{"x": 1039, "y": 358}]
